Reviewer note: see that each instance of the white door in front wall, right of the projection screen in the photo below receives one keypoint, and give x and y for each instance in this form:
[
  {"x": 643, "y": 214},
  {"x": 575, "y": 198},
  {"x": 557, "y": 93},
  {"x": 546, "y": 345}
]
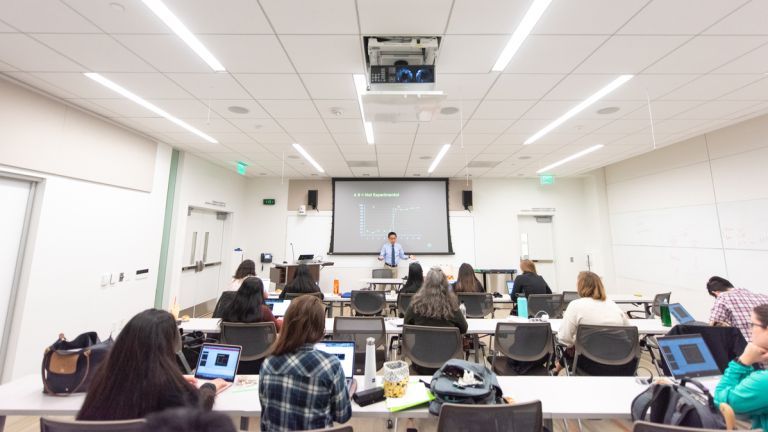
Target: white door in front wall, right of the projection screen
[{"x": 536, "y": 244}]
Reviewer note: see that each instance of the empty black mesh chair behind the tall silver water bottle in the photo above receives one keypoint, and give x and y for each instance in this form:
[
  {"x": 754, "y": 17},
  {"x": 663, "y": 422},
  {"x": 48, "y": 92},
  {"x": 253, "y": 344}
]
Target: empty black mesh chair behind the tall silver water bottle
[{"x": 359, "y": 329}]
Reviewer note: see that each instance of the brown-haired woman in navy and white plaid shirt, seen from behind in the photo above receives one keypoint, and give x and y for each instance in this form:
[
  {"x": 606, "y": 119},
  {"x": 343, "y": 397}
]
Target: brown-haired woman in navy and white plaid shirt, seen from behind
[{"x": 300, "y": 387}]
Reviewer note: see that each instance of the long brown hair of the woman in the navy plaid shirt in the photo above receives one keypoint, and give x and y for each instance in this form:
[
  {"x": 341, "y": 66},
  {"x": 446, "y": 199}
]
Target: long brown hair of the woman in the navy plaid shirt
[{"x": 303, "y": 323}]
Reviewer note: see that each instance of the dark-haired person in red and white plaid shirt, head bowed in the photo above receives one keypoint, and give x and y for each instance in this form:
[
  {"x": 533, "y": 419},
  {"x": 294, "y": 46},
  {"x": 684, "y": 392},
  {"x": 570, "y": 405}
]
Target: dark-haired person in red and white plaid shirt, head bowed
[{"x": 733, "y": 305}]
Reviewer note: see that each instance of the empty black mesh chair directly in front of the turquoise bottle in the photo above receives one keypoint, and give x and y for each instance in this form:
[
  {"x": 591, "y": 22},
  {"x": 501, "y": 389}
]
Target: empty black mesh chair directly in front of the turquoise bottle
[{"x": 523, "y": 349}]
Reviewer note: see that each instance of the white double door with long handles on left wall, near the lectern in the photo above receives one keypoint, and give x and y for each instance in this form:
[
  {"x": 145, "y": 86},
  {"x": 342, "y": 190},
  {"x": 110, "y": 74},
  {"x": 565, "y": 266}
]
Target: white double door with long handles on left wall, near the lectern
[{"x": 202, "y": 259}]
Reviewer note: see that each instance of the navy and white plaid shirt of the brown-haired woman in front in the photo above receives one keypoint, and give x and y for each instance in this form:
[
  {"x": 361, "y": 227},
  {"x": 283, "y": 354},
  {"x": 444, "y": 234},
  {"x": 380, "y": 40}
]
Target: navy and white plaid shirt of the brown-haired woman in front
[{"x": 302, "y": 390}]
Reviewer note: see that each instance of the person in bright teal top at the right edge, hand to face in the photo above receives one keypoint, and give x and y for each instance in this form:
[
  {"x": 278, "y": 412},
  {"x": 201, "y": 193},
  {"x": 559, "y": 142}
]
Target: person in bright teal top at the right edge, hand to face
[{"x": 743, "y": 387}]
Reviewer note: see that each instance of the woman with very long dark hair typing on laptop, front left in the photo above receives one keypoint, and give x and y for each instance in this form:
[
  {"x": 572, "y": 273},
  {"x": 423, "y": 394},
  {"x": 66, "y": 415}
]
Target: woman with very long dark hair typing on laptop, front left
[{"x": 140, "y": 375}]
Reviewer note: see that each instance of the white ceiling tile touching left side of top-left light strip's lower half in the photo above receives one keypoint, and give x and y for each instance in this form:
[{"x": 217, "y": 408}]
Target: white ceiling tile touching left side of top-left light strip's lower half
[{"x": 166, "y": 53}]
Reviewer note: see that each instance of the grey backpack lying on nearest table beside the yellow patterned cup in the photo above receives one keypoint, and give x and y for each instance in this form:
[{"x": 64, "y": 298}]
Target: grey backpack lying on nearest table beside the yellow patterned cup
[{"x": 445, "y": 389}]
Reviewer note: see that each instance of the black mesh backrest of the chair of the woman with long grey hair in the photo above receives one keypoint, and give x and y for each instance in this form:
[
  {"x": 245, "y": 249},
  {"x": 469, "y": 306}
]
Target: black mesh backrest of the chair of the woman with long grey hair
[{"x": 430, "y": 347}]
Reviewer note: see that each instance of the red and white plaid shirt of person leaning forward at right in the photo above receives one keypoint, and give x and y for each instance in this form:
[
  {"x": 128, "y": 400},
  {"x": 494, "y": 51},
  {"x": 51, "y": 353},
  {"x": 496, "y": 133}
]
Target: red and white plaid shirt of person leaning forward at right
[{"x": 734, "y": 307}]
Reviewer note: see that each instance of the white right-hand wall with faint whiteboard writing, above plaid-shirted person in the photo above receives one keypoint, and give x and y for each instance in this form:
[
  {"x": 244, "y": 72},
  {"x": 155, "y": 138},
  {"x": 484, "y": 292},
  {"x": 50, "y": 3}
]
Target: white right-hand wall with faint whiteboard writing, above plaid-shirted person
[{"x": 692, "y": 210}]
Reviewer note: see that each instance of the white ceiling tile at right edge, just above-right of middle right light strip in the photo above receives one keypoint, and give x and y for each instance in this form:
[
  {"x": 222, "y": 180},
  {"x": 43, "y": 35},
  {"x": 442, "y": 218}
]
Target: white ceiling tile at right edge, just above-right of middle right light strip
[{"x": 705, "y": 53}]
